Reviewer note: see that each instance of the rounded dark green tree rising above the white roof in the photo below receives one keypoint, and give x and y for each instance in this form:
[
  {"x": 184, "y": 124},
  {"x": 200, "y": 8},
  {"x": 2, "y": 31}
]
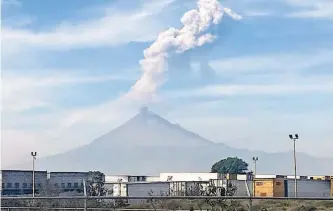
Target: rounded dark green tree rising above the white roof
[{"x": 232, "y": 165}]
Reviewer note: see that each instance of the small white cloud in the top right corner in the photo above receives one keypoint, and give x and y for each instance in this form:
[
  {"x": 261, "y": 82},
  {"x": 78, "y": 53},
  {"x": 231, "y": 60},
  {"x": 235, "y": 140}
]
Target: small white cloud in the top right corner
[{"x": 312, "y": 9}]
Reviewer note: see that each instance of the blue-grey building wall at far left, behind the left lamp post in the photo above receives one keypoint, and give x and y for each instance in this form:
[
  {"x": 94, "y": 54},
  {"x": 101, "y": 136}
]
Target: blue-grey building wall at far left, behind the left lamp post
[{"x": 16, "y": 182}]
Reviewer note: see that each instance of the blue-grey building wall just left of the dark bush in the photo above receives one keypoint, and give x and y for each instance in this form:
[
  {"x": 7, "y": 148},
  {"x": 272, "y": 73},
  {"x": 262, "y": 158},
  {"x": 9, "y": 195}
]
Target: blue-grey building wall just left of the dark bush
[{"x": 68, "y": 181}]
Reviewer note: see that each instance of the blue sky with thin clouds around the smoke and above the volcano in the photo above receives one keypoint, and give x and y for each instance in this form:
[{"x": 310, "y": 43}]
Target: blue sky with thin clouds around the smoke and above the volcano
[{"x": 65, "y": 64}]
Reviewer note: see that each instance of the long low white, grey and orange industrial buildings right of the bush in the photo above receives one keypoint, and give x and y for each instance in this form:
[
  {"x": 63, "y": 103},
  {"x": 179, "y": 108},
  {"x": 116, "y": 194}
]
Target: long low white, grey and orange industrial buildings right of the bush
[{"x": 246, "y": 185}]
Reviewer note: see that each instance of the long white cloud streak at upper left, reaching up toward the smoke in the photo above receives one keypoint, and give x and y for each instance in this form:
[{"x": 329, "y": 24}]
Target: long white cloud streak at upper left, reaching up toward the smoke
[{"x": 111, "y": 29}]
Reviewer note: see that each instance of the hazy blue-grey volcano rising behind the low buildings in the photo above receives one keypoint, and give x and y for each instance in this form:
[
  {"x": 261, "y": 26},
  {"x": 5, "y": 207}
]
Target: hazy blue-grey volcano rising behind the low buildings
[{"x": 147, "y": 144}]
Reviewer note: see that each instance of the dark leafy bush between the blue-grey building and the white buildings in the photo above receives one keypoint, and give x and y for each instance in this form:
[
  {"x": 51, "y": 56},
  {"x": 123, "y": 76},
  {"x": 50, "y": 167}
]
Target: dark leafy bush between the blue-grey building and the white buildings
[{"x": 95, "y": 184}]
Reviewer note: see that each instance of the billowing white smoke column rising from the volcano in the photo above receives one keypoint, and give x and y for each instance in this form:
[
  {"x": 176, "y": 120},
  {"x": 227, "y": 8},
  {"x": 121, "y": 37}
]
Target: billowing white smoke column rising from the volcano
[{"x": 193, "y": 34}]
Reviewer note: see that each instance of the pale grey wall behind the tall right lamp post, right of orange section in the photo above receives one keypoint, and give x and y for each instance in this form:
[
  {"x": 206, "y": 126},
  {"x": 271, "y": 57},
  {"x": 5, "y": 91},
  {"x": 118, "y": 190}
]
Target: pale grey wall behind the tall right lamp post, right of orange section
[{"x": 309, "y": 188}]
